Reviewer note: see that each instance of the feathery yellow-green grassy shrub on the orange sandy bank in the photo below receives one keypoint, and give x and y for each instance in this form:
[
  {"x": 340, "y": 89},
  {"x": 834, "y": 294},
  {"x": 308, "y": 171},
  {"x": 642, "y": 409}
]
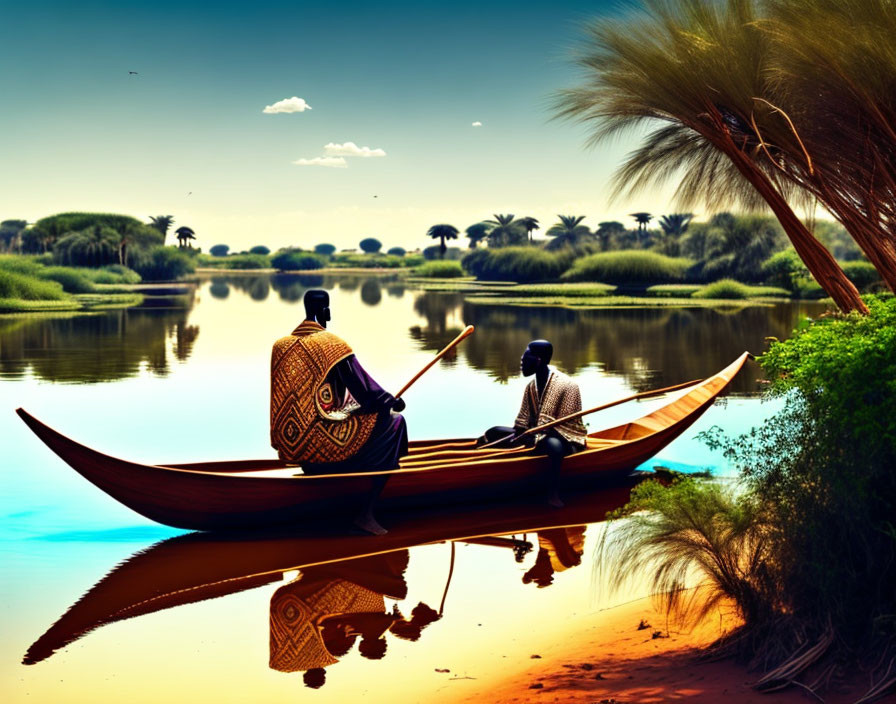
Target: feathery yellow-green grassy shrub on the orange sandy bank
[{"x": 694, "y": 526}]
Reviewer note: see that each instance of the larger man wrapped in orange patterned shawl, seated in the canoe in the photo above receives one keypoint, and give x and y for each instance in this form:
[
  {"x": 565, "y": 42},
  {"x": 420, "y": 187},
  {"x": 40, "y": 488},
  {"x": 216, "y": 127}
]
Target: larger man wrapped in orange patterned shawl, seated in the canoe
[{"x": 327, "y": 413}]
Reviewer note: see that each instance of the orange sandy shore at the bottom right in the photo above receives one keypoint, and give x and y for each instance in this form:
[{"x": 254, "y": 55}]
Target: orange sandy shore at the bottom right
[{"x": 609, "y": 660}]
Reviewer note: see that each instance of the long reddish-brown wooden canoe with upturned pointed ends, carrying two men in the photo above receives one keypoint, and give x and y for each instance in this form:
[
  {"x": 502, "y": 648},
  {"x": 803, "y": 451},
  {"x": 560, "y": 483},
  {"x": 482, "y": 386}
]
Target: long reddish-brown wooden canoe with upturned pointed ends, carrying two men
[{"x": 258, "y": 493}]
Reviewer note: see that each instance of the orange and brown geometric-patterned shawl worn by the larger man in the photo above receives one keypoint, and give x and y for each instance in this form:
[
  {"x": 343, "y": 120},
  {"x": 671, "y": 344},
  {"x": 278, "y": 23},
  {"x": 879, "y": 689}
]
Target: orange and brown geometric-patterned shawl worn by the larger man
[{"x": 302, "y": 429}]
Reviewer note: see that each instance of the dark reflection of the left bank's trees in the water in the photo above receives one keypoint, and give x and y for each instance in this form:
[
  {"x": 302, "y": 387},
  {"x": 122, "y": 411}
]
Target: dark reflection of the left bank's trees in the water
[{"x": 88, "y": 349}]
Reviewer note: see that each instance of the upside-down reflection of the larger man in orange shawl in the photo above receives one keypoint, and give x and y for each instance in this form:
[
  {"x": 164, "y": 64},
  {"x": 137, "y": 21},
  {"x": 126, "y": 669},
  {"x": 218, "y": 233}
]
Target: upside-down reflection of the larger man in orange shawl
[{"x": 322, "y": 614}]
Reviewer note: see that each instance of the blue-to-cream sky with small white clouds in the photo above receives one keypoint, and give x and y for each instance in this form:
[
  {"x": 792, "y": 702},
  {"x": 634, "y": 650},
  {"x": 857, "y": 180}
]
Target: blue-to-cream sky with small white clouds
[{"x": 296, "y": 123}]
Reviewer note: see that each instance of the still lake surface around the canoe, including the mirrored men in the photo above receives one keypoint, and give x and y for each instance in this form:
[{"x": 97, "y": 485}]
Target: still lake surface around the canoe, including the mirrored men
[{"x": 160, "y": 384}]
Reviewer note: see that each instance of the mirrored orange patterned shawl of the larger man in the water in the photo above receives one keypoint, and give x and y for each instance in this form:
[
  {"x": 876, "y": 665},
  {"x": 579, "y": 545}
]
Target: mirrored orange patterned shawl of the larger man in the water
[{"x": 297, "y": 611}]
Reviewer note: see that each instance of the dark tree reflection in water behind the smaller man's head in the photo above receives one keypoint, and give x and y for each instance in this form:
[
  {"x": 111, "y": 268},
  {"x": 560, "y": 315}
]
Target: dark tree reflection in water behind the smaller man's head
[{"x": 649, "y": 347}]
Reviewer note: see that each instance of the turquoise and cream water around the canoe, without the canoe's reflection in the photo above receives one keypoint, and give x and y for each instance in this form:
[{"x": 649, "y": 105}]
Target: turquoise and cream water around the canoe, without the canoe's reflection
[{"x": 180, "y": 385}]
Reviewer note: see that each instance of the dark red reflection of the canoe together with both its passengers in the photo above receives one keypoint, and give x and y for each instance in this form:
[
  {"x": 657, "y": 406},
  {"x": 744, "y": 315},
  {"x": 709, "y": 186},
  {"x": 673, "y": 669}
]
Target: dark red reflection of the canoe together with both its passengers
[{"x": 337, "y": 601}]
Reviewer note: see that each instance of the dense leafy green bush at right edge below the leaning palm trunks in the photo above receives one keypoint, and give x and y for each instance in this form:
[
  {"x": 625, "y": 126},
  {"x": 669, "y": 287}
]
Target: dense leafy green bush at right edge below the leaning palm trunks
[{"x": 824, "y": 467}]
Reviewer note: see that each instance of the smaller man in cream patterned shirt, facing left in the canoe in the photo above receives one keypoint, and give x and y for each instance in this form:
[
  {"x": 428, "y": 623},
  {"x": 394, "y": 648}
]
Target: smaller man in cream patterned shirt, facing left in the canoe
[{"x": 549, "y": 396}]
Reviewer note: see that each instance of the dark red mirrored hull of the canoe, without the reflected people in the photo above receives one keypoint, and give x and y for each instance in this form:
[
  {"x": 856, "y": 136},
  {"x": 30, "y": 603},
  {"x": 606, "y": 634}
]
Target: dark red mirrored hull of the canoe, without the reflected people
[{"x": 200, "y": 566}]
